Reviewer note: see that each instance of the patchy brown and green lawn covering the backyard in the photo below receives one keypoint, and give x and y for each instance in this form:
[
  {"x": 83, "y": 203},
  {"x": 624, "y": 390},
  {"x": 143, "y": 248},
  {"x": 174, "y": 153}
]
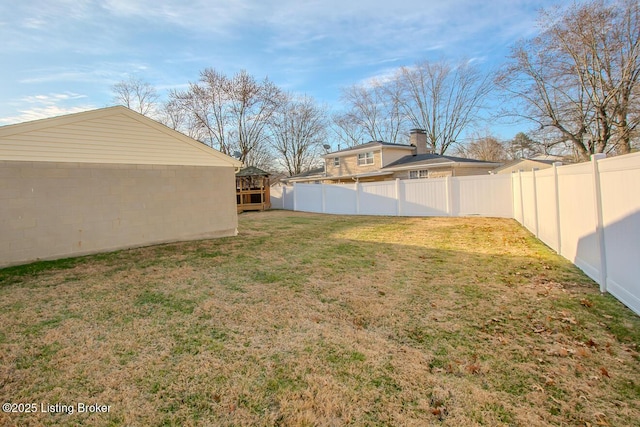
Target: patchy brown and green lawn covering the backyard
[{"x": 319, "y": 320}]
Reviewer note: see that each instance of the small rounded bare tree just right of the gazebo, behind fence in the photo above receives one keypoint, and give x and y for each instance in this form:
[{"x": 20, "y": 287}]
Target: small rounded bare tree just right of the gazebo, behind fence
[{"x": 298, "y": 129}]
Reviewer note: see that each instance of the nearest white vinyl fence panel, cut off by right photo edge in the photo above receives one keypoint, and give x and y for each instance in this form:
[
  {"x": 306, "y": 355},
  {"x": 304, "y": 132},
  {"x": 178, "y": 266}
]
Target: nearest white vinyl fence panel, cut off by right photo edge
[{"x": 620, "y": 184}]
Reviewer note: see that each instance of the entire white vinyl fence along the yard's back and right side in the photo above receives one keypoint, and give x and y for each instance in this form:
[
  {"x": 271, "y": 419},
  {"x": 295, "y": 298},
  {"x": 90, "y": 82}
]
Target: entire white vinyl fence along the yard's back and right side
[{"x": 588, "y": 212}]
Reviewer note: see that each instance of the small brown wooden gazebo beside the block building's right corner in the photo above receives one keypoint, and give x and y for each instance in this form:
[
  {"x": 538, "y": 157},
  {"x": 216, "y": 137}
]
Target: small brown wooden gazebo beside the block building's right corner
[{"x": 252, "y": 189}]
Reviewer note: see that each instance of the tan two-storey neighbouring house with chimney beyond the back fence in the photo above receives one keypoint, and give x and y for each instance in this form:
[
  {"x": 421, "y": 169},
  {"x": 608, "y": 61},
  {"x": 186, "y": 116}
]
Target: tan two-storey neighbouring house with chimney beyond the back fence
[{"x": 379, "y": 161}]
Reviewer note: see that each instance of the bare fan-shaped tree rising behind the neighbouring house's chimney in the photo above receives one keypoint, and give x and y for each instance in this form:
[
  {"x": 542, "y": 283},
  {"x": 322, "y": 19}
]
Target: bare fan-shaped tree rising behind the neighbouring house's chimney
[{"x": 442, "y": 98}]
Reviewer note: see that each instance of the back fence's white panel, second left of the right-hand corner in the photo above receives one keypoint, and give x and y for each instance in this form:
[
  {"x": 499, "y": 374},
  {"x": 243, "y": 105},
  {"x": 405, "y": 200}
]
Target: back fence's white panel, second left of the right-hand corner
[{"x": 424, "y": 197}]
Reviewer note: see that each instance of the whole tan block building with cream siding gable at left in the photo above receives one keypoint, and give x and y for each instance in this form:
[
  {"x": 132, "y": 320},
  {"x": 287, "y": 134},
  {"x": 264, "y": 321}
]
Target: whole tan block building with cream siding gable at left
[{"x": 108, "y": 179}]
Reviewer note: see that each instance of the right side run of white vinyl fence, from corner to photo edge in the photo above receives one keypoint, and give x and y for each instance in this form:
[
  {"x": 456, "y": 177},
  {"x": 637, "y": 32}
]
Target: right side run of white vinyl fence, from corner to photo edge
[{"x": 590, "y": 214}]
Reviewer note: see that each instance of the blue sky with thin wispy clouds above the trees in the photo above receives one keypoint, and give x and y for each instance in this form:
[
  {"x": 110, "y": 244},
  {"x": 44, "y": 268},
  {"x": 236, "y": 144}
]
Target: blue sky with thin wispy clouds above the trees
[{"x": 63, "y": 56}]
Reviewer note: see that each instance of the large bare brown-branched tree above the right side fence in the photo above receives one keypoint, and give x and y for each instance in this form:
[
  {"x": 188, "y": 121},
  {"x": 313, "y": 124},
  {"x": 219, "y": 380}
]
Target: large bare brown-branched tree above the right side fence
[{"x": 579, "y": 77}]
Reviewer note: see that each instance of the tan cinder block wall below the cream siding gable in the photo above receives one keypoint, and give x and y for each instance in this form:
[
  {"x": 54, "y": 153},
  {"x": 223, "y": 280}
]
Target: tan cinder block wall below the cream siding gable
[{"x": 54, "y": 210}]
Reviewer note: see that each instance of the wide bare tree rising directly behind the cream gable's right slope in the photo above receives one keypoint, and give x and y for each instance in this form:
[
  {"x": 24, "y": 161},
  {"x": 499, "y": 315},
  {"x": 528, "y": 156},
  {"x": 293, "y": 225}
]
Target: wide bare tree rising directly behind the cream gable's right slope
[{"x": 232, "y": 113}]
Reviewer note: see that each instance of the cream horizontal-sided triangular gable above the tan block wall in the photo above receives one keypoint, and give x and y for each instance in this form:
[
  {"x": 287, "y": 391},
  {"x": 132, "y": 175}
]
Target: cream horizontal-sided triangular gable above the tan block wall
[{"x": 107, "y": 135}]
